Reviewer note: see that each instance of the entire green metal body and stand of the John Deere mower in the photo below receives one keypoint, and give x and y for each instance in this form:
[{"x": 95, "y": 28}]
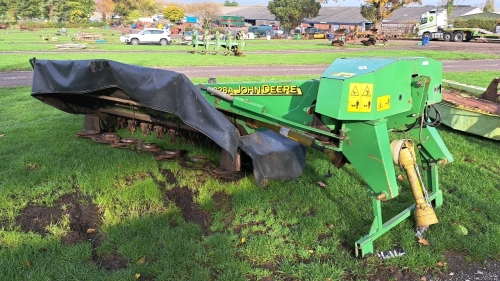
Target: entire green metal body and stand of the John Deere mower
[{"x": 350, "y": 110}]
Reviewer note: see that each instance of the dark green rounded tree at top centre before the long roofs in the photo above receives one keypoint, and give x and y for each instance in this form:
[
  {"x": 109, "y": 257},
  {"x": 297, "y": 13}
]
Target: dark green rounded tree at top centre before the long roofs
[{"x": 292, "y": 13}]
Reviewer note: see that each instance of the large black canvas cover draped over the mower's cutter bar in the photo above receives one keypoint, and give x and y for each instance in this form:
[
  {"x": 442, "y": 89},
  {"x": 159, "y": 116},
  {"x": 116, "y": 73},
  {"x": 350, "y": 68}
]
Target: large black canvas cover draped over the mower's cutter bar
[{"x": 63, "y": 83}]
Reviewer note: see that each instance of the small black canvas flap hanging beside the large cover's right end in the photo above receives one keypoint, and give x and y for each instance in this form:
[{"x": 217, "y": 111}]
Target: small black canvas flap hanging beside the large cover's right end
[{"x": 273, "y": 156}]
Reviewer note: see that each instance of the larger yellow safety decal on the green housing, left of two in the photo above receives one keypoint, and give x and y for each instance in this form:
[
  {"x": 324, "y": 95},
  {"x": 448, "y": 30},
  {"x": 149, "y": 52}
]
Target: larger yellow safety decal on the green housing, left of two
[{"x": 360, "y": 97}]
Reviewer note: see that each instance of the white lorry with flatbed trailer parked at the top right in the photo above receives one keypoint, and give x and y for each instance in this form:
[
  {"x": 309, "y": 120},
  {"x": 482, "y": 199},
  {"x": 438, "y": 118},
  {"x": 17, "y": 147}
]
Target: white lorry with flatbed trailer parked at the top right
[{"x": 434, "y": 24}]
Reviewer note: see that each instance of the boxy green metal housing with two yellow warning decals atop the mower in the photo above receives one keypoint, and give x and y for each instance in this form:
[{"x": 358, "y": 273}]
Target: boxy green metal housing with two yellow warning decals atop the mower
[{"x": 369, "y": 89}]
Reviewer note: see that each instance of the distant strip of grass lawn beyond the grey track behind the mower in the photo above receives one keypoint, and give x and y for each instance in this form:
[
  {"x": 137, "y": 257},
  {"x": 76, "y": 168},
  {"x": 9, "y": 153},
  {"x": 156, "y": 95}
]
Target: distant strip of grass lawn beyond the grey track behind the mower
[{"x": 18, "y": 47}]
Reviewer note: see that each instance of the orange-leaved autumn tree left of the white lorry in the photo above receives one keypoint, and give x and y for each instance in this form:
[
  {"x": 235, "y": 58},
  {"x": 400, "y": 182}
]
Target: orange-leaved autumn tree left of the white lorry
[{"x": 378, "y": 10}]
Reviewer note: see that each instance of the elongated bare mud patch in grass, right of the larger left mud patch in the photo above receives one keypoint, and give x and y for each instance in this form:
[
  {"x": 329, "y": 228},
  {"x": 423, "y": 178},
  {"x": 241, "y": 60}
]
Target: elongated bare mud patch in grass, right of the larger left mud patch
[{"x": 191, "y": 212}]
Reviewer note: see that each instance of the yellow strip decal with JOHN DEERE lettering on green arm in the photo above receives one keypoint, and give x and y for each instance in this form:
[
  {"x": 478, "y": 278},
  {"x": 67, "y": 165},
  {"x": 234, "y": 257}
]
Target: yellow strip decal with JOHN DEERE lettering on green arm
[{"x": 270, "y": 90}]
